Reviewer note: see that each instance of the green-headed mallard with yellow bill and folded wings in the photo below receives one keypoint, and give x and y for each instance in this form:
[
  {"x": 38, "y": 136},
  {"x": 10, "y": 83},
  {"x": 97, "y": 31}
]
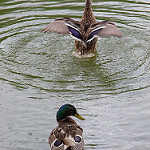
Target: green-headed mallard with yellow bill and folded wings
[{"x": 67, "y": 135}]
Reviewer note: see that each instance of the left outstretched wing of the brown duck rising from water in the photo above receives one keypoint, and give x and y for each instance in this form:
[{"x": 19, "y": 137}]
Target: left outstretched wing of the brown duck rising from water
[{"x": 65, "y": 26}]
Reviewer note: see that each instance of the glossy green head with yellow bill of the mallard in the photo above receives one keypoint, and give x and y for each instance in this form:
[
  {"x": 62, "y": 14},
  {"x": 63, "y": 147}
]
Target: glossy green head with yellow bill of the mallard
[{"x": 67, "y": 110}]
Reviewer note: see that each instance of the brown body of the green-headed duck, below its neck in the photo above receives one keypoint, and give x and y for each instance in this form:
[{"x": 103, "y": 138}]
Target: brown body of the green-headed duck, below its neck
[{"x": 66, "y": 137}]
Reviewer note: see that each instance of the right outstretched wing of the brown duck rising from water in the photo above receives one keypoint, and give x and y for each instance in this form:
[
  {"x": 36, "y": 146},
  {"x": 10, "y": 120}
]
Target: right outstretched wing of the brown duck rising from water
[{"x": 104, "y": 28}]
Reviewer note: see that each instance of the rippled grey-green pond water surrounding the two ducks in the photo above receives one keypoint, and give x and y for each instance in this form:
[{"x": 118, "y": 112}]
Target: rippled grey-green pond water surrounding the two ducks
[{"x": 39, "y": 74}]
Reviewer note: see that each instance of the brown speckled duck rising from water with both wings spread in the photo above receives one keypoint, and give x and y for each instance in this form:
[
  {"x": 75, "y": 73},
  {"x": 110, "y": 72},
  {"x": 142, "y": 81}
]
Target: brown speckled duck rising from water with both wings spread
[{"x": 85, "y": 32}]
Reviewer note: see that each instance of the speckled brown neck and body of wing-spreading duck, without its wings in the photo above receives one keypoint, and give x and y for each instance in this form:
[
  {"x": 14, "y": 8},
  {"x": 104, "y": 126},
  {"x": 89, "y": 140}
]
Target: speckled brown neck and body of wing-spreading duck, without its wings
[{"x": 88, "y": 19}]
